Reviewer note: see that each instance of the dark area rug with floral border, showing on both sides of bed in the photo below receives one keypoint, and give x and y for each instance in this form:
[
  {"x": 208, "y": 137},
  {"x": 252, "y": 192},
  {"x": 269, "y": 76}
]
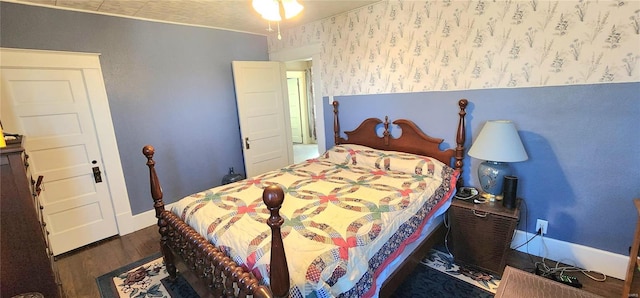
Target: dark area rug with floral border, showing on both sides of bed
[{"x": 439, "y": 276}]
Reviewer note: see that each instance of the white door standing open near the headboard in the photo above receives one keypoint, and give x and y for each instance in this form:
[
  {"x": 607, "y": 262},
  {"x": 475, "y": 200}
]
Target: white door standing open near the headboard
[{"x": 263, "y": 110}]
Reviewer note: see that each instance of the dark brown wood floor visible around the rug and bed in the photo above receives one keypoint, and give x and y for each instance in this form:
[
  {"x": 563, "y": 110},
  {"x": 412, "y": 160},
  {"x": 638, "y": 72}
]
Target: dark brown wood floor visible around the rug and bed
[{"x": 79, "y": 269}]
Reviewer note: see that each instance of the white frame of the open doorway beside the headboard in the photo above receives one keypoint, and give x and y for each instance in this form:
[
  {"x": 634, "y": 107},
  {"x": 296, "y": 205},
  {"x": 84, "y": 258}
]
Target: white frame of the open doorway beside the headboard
[{"x": 309, "y": 51}]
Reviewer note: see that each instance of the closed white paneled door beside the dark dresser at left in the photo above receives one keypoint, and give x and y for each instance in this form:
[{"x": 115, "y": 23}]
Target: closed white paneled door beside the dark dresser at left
[{"x": 51, "y": 108}]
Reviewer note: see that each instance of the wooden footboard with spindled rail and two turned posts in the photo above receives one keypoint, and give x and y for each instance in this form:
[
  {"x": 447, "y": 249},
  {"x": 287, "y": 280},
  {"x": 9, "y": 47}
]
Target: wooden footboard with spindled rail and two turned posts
[{"x": 222, "y": 275}]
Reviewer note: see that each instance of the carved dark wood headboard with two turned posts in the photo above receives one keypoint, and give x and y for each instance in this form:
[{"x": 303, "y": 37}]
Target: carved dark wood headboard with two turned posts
[{"x": 409, "y": 139}]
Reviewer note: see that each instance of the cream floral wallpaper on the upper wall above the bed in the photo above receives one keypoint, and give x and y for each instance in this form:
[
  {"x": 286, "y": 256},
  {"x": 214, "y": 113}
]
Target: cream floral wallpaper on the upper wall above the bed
[{"x": 414, "y": 46}]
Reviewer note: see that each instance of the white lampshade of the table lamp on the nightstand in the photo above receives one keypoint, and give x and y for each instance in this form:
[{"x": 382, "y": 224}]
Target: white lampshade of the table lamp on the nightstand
[{"x": 498, "y": 141}]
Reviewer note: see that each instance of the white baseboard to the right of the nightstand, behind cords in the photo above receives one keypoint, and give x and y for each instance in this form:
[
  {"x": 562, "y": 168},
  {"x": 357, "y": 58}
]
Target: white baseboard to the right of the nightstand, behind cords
[{"x": 611, "y": 264}]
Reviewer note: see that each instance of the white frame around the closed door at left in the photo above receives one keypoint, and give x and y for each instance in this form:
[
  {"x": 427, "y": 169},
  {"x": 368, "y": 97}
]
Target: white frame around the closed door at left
[{"x": 102, "y": 119}]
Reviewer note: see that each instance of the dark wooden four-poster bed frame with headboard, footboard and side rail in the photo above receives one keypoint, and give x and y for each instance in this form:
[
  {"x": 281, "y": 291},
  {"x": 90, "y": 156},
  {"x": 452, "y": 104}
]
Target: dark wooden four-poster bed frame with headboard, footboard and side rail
[{"x": 226, "y": 279}]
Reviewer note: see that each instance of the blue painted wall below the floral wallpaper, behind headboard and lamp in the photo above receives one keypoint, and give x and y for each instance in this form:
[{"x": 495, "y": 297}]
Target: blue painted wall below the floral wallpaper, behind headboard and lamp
[{"x": 582, "y": 140}]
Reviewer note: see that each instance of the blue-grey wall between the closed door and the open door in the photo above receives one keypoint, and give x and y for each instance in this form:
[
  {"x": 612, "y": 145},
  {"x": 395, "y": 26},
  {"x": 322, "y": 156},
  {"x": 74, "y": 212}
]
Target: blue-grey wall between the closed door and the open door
[{"x": 168, "y": 85}]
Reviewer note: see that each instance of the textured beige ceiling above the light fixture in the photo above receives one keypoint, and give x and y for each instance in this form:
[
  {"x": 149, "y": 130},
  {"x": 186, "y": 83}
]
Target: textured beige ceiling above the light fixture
[{"x": 236, "y": 15}]
